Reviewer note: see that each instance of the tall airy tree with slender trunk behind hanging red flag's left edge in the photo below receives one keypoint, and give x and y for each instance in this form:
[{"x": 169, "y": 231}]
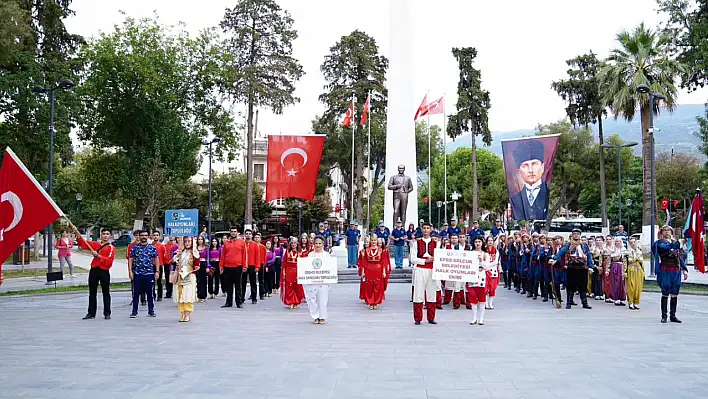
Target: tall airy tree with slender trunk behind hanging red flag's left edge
[{"x": 260, "y": 70}]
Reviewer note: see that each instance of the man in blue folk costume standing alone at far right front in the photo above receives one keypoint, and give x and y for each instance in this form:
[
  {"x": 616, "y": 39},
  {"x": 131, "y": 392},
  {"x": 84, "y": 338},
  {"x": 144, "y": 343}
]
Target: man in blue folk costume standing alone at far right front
[{"x": 668, "y": 265}]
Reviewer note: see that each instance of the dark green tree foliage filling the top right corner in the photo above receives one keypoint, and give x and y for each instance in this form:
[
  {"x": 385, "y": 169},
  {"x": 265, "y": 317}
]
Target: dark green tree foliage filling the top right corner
[{"x": 687, "y": 24}]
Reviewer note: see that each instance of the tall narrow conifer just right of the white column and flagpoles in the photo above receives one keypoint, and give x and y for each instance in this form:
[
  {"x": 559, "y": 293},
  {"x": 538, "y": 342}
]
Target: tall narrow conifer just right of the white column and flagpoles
[{"x": 473, "y": 104}]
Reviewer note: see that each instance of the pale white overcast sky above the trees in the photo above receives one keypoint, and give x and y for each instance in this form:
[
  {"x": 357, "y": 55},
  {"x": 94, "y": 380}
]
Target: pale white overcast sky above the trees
[{"x": 522, "y": 45}]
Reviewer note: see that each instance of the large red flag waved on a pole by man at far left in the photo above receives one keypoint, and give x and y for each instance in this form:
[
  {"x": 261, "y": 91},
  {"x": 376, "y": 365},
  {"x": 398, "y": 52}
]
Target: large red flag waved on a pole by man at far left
[{"x": 25, "y": 208}]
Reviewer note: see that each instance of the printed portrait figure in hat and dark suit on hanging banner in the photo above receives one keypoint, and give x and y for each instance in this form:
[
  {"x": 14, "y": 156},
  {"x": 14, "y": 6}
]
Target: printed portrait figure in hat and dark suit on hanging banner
[{"x": 531, "y": 203}]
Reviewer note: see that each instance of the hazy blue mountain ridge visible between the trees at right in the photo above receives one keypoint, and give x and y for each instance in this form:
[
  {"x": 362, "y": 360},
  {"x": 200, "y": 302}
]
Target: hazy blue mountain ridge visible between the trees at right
[{"x": 672, "y": 130}]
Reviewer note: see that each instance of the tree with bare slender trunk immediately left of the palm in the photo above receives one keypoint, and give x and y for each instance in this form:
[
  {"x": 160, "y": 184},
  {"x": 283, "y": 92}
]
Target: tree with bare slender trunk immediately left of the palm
[{"x": 581, "y": 92}]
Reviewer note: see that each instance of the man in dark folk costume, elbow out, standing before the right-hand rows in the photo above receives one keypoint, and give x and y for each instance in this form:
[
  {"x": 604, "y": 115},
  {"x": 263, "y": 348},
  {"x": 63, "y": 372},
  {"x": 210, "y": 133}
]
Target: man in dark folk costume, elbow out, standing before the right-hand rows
[{"x": 578, "y": 260}]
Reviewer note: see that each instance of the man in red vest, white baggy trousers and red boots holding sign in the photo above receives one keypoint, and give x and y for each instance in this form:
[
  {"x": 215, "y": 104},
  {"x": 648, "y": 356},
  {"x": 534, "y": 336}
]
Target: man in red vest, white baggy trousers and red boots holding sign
[{"x": 424, "y": 287}]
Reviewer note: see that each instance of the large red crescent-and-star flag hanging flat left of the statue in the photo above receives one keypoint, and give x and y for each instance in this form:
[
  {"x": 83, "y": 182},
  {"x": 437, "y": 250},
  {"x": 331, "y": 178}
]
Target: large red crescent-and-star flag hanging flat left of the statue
[{"x": 293, "y": 165}]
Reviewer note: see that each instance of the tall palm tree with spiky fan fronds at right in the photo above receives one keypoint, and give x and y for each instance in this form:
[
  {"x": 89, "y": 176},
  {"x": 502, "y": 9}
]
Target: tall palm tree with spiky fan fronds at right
[{"x": 641, "y": 58}]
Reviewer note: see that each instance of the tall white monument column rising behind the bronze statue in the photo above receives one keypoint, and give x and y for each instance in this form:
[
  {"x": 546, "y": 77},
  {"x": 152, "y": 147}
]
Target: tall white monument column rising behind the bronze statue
[{"x": 400, "y": 133}]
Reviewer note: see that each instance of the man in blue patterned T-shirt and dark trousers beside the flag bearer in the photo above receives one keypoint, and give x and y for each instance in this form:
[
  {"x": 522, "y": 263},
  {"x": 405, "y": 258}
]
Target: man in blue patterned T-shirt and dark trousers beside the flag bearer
[{"x": 143, "y": 266}]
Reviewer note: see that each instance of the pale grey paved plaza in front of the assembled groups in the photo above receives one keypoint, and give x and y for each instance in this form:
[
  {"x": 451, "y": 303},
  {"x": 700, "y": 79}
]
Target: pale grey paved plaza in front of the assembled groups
[{"x": 526, "y": 349}]
